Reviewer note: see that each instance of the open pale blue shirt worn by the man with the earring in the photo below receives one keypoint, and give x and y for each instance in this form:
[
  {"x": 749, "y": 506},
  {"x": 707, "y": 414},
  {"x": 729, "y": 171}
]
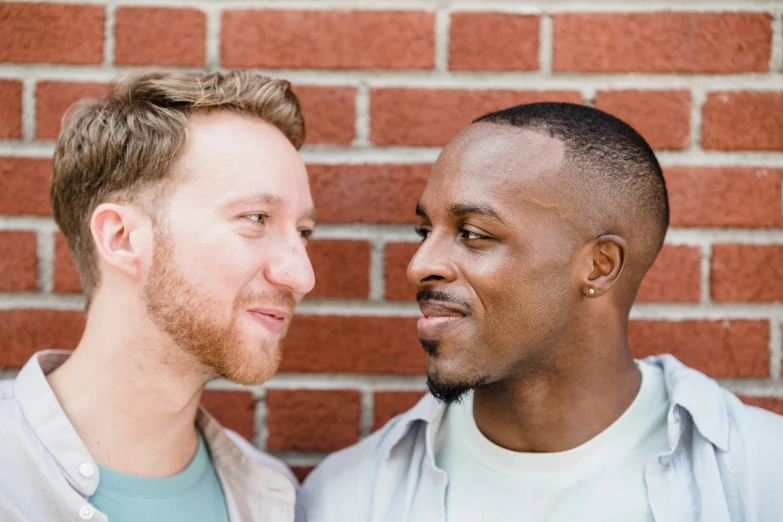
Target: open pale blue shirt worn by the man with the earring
[{"x": 723, "y": 463}]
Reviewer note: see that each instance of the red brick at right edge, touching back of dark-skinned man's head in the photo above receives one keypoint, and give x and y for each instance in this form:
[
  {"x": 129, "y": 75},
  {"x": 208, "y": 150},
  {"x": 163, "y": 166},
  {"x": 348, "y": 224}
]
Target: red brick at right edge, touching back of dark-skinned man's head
[{"x": 724, "y": 196}]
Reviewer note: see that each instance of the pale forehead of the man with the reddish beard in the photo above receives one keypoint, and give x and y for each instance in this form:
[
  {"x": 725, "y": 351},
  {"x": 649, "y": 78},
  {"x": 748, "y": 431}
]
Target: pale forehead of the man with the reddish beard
[{"x": 231, "y": 154}]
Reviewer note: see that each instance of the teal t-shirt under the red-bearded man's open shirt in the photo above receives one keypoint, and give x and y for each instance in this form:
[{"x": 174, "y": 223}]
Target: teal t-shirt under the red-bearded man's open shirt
[{"x": 192, "y": 495}]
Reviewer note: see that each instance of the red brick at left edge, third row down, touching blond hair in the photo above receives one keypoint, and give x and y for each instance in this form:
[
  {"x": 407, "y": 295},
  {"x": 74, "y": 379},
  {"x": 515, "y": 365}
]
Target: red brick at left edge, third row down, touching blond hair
[{"x": 24, "y": 186}]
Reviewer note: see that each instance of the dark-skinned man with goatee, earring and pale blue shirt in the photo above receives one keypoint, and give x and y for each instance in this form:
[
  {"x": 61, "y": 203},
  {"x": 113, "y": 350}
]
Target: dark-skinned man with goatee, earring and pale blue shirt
[{"x": 538, "y": 224}]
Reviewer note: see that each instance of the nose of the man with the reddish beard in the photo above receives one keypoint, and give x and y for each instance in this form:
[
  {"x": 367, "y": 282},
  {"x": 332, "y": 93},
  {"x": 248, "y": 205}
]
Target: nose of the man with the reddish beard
[{"x": 290, "y": 267}]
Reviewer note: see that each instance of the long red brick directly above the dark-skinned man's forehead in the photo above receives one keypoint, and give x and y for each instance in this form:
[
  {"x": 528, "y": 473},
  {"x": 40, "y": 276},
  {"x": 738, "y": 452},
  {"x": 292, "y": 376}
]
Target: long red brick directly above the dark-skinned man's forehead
[{"x": 431, "y": 117}]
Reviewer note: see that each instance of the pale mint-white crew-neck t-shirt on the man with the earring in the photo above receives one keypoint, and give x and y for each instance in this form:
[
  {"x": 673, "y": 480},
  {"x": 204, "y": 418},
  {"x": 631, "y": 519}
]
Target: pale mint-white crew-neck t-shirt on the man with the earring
[{"x": 601, "y": 480}]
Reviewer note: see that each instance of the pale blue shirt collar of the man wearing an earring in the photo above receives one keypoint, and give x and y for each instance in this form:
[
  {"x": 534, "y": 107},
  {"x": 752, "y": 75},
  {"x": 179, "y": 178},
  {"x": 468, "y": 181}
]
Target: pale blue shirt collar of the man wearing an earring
[{"x": 689, "y": 389}]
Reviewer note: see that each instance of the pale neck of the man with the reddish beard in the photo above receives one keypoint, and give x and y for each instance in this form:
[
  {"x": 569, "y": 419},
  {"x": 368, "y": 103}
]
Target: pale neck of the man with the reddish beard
[{"x": 132, "y": 398}]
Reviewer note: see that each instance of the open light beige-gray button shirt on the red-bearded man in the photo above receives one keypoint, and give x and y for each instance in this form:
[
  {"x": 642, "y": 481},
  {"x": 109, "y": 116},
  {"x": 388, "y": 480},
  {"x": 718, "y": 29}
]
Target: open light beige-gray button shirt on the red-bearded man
[{"x": 47, "y": 474}]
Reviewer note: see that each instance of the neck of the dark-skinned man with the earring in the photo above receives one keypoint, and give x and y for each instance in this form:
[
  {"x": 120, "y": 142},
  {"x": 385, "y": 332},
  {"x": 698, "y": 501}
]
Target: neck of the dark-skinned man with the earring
[{"x": 561, "y": 405}]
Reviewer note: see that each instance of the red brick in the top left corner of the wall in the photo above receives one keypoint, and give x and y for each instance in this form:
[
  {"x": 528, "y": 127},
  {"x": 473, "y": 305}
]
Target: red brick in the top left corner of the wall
[{"x": 50, "y": 33}]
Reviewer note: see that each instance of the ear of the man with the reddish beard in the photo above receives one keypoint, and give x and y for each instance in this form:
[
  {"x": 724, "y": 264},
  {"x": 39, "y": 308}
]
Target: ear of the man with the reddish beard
[{"x": 115, "y": 230}]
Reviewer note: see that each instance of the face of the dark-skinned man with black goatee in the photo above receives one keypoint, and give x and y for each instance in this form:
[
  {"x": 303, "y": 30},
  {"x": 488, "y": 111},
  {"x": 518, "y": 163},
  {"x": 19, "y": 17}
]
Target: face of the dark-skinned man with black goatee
[{"x": 494, "y": 271}]
